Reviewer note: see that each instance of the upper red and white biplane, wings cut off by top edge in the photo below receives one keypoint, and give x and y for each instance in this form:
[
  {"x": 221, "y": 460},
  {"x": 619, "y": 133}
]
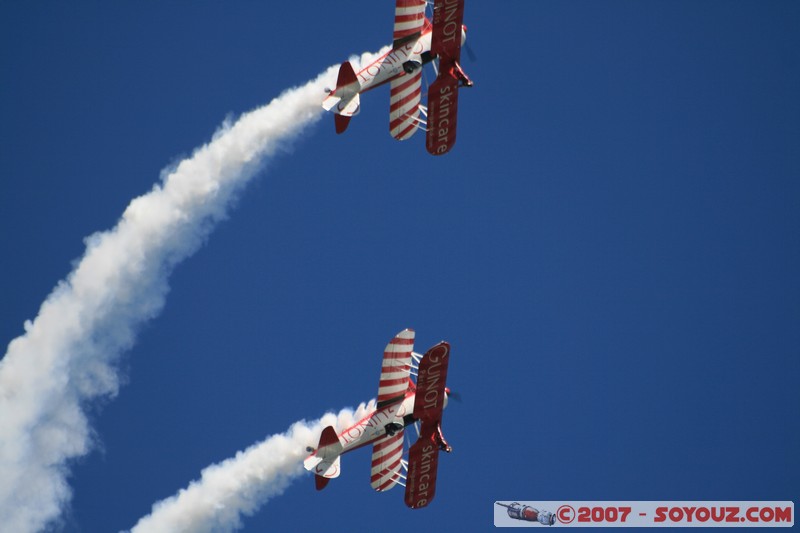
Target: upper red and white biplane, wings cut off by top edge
[{"x": 417, "y": 41}]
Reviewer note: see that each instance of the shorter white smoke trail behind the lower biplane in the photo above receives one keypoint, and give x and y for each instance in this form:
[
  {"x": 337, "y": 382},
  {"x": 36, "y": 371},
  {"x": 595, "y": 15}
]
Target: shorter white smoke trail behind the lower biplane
[{"x": 240, "y": 485}]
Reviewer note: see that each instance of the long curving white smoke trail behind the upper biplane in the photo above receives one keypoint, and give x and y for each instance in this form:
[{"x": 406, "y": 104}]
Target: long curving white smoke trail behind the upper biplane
[{"x": 69, "y": 352}]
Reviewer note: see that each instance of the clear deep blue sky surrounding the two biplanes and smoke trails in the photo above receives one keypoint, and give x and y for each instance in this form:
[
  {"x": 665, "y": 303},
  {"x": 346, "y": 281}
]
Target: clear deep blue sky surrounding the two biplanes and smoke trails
[{"x": 611, "y": 248}]
